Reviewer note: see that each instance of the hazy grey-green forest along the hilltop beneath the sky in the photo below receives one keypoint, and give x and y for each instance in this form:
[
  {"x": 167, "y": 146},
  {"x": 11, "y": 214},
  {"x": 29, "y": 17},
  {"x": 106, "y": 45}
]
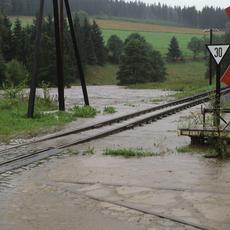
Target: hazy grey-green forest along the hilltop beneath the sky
[{"x": 208, "y": 17}]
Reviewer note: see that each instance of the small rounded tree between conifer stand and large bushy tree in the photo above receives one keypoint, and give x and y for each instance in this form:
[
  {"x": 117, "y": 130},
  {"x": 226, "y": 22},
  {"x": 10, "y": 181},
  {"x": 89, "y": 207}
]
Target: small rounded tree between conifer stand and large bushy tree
[{"x": 115, "y": 48}]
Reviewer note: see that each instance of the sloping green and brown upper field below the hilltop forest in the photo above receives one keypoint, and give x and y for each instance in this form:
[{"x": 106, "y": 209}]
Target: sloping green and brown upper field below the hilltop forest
[{"x": 157, "y": 35}]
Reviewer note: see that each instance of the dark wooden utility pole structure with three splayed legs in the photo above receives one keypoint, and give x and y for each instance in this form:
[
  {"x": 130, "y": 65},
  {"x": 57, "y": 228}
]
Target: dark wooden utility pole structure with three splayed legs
[{"x": 58, "y": 11}]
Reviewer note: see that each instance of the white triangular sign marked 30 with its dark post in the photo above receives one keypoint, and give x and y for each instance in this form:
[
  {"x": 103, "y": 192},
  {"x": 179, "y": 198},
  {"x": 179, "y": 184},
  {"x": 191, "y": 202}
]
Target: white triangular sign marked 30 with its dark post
[{"x": 218, "y": 52}]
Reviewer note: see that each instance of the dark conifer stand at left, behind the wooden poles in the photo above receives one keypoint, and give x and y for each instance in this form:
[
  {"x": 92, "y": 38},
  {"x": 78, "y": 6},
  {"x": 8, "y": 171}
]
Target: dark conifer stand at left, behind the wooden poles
[{"x": 17, "y": 48}]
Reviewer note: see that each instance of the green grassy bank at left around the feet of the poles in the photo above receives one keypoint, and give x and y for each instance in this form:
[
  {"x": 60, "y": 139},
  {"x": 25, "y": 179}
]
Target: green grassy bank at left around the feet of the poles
[{"x": 15, "y": 124}]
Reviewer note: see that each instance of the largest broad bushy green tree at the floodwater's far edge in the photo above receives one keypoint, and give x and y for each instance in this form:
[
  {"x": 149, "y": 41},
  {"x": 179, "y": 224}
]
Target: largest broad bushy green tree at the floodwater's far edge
[{"x": 140, "y": 63}]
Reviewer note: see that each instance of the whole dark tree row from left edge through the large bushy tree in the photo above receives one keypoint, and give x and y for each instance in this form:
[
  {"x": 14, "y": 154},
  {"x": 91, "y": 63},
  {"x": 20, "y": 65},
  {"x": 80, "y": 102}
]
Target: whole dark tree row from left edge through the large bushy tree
[{"x": 137, "y": 60}]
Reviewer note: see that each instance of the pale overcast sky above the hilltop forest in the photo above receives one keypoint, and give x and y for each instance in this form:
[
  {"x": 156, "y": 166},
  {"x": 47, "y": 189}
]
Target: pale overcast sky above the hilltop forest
[{"x": 198, "y": 3}]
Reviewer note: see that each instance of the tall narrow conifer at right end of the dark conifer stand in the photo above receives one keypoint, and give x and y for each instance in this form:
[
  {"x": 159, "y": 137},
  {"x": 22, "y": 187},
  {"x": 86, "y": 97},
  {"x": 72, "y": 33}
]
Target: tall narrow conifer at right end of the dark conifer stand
[{"x": 98, "y": 42}]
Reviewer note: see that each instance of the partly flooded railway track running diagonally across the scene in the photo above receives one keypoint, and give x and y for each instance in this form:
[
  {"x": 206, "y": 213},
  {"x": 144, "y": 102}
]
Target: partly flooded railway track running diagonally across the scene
[{"x": 22, "y": 155}]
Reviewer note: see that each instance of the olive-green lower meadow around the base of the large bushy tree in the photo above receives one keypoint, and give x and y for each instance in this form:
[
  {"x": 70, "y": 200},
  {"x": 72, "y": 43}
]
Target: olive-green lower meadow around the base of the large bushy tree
[{"x": 186, "y": 78}]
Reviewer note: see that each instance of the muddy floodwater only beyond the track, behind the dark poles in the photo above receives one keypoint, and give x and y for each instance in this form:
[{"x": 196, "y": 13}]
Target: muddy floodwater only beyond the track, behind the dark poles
[{"x": 118, "y": 96}]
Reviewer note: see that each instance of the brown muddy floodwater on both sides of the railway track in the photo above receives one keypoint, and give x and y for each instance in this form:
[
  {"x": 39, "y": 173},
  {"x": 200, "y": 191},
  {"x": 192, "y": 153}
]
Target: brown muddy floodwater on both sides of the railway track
[{"x": 90, "y": 191}]
